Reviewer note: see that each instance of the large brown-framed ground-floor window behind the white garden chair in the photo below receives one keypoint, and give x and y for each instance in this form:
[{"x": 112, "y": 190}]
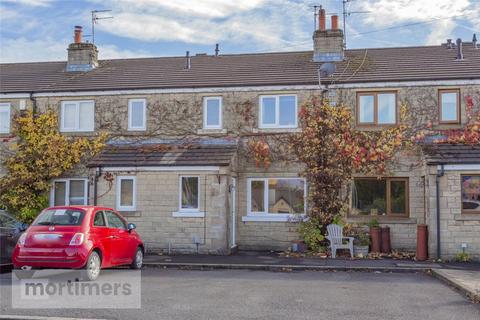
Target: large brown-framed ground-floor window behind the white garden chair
[{"x": 387, "y": 196}]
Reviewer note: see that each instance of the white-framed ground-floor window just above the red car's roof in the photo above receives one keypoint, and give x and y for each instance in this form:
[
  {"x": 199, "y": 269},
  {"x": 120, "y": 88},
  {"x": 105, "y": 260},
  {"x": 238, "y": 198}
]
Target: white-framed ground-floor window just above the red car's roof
[{"x": 69, "y": 192}]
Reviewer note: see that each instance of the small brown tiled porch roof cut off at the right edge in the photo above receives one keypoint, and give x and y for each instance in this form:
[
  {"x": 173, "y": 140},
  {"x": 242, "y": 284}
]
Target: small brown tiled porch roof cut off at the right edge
[{"x": 452, "y": 154}]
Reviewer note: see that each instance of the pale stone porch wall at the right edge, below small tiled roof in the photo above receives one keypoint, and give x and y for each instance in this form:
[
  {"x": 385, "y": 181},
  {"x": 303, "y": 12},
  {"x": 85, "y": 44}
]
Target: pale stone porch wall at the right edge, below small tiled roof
[{"x": 455, "y": 227}]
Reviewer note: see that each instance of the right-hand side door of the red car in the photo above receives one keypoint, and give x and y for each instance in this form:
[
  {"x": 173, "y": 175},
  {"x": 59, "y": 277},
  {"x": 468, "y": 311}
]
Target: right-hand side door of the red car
[{"x": 120, "y": 238}]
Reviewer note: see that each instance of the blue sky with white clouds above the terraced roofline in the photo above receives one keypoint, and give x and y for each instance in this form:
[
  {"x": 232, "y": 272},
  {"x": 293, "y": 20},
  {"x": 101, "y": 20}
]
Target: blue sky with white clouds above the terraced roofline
[{"x": 40, "y": 30}]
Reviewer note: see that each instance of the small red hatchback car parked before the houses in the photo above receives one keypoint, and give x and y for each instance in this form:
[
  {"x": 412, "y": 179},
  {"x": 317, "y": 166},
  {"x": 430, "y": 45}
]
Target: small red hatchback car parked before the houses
[{"x": 78, "y": 237}]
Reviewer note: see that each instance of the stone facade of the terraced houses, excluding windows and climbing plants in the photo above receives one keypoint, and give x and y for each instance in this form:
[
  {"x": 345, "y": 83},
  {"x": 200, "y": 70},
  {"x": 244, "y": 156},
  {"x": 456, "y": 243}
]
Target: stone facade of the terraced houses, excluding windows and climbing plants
[{"x": 171, "y": 115}]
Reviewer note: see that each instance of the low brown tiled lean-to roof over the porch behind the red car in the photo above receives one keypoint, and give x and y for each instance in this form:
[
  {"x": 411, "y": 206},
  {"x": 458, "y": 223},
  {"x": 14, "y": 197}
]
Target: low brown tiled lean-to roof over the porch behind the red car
[{"x": 160, "y": 154}]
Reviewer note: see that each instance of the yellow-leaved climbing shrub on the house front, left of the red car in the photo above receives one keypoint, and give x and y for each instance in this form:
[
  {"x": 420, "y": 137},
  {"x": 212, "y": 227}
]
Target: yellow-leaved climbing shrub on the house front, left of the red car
[{"x": 39, "y": 153}]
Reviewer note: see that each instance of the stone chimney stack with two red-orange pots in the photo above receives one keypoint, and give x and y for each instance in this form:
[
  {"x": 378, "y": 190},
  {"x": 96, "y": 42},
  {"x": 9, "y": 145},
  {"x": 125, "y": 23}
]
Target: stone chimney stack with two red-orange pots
[{"x": 328, "y": 43}]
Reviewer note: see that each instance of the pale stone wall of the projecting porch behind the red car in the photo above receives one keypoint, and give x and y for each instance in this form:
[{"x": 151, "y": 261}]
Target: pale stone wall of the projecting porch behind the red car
[{"x": 158, "y": 199}]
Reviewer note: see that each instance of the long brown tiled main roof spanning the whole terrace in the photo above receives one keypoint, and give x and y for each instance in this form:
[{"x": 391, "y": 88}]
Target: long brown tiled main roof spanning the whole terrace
[{"x": 280, "y": 68}]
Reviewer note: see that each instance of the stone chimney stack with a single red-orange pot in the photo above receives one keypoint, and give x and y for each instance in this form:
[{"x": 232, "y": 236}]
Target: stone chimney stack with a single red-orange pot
[{"x": 82, "y": 56}]
